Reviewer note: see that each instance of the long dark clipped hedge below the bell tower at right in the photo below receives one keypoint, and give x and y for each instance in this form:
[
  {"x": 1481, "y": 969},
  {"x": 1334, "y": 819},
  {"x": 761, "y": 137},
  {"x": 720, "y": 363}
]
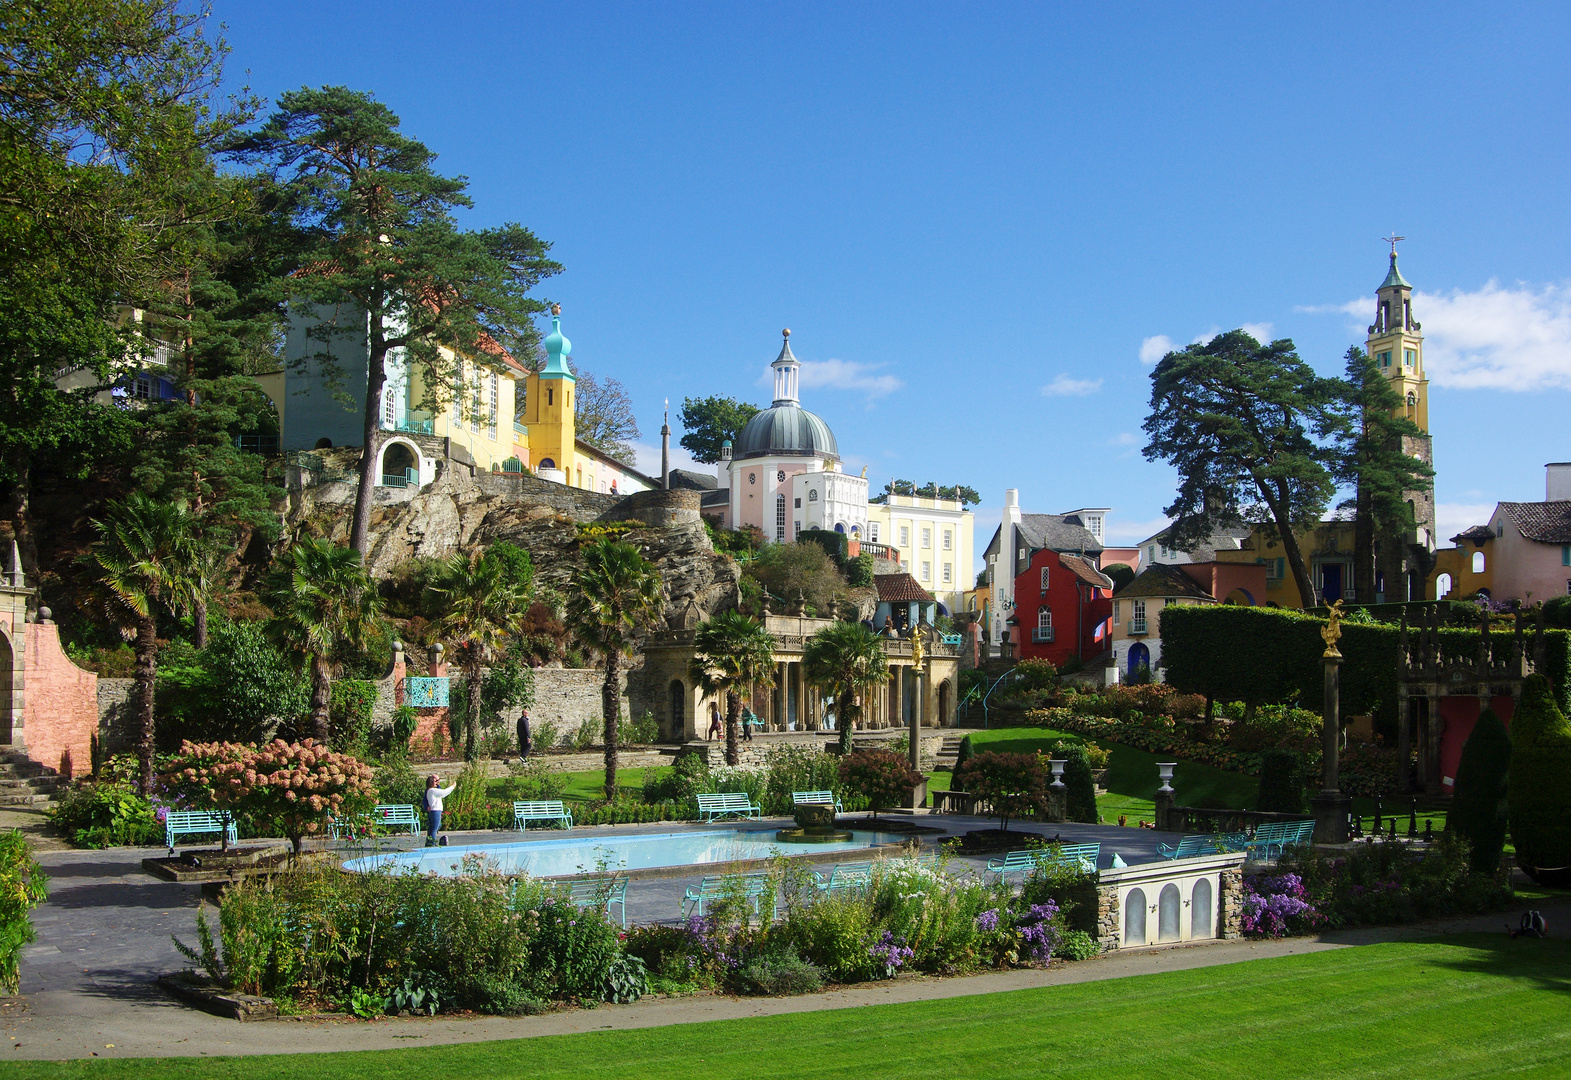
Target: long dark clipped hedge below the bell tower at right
[{"x": 1267, "y": 656}]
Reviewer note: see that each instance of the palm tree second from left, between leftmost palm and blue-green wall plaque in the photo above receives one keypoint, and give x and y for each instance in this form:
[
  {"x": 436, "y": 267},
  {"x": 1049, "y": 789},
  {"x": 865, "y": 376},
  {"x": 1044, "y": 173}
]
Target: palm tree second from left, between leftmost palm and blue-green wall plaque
[{"x": 323, "y": 603}]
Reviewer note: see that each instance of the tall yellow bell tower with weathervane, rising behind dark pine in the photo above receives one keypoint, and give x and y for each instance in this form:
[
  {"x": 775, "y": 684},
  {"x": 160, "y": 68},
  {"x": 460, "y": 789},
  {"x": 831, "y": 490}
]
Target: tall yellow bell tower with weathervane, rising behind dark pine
[{"x": 1396, "y": 345}]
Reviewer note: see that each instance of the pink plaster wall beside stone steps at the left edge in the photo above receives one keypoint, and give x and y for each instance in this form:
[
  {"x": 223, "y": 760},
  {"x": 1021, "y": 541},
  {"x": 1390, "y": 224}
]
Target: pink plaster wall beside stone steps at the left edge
[{"x": 60, "y": 705}]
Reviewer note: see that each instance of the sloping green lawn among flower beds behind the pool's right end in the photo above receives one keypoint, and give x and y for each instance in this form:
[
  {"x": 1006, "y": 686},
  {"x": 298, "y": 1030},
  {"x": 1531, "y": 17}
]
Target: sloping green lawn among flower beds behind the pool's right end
[{"x": 1132, "y": 779}]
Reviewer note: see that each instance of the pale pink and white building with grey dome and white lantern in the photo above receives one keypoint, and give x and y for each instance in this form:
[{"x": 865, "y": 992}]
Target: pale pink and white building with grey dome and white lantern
[{"x": 785, "y": 471}]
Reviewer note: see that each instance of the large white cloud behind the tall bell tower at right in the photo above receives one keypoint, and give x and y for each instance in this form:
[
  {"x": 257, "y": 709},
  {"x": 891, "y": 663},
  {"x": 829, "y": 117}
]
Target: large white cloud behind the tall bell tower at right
[{"x": 1493, "y": 339}]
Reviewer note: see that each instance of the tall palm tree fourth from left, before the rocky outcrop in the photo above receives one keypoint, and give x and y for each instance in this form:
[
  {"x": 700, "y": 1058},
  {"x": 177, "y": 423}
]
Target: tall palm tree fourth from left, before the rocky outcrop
[{"x": 618, "y": 593}]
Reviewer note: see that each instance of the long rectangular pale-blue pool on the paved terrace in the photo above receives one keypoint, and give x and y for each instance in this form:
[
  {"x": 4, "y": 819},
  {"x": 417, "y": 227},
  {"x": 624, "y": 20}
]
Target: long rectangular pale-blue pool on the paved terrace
[{"x": 585, "y": 856}]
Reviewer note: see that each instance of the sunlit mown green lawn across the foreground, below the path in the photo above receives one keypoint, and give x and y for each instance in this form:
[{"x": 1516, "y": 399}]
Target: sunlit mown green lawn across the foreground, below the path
[{"x": 1460, "y": 1007}]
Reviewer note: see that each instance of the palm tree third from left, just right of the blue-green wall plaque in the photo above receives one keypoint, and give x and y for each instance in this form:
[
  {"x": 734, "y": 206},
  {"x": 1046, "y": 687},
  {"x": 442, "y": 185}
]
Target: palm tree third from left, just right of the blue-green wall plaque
[{"x": 483, "y": 606}]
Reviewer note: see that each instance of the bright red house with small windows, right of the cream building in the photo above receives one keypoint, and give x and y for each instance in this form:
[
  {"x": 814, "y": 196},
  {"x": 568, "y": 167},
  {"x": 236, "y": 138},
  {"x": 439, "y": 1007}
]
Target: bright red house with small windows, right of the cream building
[{"x": 1063, "y": 608}]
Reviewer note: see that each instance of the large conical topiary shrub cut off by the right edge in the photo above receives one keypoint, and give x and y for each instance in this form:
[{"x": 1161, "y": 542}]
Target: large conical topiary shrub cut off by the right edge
[{"x": 1540, "y": 785}]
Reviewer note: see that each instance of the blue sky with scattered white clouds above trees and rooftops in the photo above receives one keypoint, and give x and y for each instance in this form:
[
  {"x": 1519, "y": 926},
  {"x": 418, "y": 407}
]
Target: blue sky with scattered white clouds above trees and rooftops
[{"x": 978, "y": 218}]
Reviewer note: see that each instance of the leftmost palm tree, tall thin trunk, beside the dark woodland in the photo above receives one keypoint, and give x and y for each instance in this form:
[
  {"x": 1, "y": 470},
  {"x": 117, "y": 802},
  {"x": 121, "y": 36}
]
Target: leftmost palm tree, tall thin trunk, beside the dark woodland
[{"x": 144, "y": 553}]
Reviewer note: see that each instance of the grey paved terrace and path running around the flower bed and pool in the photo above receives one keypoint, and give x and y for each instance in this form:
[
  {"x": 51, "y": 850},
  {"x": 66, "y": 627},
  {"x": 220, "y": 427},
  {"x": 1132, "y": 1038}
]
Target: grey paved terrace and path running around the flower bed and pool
[{"x": 104, "y": 936}]
